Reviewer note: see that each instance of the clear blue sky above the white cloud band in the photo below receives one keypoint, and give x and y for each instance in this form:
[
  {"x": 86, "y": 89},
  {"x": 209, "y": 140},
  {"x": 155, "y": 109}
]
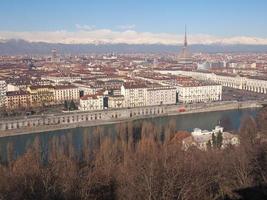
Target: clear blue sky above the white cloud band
[{"x": 223, "y": 18}]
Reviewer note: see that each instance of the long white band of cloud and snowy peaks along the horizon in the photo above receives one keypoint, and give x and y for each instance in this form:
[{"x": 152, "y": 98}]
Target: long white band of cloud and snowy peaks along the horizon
[{"x": 87, "y": 34}]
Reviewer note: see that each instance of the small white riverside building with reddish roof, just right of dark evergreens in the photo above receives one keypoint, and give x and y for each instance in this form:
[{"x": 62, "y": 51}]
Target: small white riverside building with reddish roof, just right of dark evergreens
[{"x": 92, "y": 102}]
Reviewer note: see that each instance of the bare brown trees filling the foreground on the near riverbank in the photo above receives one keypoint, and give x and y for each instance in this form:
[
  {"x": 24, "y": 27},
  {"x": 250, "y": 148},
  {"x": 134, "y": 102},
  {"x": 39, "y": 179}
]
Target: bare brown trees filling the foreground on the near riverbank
[{"x": 149, "y": 165}]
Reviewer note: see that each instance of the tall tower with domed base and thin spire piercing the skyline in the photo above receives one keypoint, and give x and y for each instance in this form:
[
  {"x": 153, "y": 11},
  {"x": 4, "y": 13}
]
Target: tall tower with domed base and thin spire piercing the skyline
[{"x": 185, "y": 57}]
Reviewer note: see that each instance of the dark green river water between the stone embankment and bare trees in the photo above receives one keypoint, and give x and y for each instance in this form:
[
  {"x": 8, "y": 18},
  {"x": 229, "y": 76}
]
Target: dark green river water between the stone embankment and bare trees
[{"x": 228, "y": 119}]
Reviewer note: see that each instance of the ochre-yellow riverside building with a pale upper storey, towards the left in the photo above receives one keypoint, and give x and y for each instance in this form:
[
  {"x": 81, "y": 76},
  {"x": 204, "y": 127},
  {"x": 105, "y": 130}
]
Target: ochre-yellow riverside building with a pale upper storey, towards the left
[{"x": 41, "y": 95}]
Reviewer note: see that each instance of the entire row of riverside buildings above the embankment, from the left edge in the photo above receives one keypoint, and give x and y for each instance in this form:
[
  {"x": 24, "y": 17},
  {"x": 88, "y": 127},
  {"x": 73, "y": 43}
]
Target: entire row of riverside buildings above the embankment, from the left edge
[{"x": 130, "y": 94}]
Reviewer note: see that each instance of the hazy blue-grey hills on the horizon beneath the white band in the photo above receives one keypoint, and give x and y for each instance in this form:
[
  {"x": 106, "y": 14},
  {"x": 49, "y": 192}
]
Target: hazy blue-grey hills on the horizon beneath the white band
[{"x": 21, "y": 47}]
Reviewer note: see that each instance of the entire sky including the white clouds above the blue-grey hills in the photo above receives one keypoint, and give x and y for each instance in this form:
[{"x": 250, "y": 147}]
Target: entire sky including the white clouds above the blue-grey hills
[{"x": 135, "y": 21}]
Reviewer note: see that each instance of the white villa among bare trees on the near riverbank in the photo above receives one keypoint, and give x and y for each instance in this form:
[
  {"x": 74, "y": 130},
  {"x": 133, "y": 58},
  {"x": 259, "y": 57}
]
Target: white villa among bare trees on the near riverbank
[{"x": 202, "y": 139}]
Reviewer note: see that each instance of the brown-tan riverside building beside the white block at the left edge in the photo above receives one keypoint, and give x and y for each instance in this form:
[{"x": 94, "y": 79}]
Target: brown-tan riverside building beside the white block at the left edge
[{"x": 18, "y": 100}]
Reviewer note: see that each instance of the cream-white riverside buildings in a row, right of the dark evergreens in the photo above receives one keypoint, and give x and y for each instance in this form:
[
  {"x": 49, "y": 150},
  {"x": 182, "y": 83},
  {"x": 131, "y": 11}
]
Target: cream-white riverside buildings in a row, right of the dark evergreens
[{"x": 139, "y": 95}]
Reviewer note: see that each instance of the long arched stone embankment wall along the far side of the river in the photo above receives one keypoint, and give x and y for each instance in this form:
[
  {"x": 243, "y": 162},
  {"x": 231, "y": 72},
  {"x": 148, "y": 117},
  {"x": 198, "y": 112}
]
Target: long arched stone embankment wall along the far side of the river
[{"x": 31, "y": 124}]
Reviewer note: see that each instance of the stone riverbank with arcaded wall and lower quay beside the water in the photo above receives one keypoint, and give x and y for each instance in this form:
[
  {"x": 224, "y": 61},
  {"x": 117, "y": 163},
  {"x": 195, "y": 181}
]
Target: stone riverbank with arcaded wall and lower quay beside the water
[{"x": 123, "y": 115}]
